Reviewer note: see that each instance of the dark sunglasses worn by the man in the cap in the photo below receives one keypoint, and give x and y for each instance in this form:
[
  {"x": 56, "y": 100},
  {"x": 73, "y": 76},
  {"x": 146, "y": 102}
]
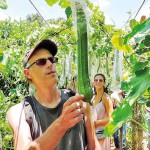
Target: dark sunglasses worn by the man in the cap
[{"x": 42, "y": 61}]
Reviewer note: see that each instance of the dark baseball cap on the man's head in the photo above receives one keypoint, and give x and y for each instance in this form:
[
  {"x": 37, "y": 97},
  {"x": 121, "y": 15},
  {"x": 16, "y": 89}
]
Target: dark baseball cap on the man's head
[{"x": 43, "y": 44}]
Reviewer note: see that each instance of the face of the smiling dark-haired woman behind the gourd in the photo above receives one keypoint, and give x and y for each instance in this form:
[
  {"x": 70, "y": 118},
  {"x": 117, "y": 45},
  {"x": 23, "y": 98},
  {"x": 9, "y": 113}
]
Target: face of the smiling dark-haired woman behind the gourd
[{"x": 99, "y": 82}]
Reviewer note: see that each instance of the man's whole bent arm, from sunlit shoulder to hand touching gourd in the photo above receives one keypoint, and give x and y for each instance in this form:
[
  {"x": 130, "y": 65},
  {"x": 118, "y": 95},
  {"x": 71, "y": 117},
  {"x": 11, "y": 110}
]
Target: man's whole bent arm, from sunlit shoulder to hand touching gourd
[{"x": 71, "y": 114}]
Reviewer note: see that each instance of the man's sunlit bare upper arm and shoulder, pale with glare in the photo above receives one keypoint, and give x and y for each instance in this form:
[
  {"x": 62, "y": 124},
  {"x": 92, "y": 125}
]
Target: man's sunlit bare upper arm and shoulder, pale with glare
[{"x": 20, "y": 127}]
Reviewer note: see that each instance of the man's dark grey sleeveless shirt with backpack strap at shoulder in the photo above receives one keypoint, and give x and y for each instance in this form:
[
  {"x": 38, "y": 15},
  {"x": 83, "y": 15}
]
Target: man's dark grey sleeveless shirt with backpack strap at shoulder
[{"x": 42, "y": 117}]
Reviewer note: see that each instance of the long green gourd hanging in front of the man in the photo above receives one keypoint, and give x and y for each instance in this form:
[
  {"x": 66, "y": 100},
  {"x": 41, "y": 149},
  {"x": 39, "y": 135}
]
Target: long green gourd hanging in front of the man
[{"x": 84, "y": 86}]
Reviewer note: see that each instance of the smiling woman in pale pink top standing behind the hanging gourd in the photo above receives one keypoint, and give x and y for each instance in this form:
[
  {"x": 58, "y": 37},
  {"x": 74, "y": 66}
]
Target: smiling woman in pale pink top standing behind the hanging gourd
[{"x": 101, "y": 110}]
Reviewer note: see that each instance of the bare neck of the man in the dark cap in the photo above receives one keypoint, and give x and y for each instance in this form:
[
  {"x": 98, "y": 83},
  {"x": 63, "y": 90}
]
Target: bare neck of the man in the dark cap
[{"x": 48, "y": 97}]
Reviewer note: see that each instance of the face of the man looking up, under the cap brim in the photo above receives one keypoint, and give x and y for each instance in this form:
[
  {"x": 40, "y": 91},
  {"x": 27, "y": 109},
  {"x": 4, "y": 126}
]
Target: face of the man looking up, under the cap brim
[{"x": 42, "y": 74}]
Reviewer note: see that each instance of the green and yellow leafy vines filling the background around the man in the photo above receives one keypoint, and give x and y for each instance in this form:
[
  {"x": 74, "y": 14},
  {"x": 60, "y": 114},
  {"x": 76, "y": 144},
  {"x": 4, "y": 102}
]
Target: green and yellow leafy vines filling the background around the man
[{"x": 19, "y": 36}]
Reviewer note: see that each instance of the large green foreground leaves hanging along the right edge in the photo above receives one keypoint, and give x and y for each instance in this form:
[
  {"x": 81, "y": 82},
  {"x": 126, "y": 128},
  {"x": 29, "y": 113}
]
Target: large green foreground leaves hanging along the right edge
[{"x": 139, "y": 81}]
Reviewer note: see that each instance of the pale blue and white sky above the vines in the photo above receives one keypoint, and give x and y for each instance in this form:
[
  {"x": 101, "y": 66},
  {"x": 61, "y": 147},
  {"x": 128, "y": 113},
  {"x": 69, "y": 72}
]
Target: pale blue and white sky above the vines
[{"x": 115, "y": 11}]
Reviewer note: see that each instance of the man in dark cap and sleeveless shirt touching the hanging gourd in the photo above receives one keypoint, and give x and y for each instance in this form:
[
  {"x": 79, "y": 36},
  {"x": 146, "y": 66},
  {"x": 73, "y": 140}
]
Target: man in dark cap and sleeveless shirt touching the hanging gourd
[{"x": 50, "y": 119}]
